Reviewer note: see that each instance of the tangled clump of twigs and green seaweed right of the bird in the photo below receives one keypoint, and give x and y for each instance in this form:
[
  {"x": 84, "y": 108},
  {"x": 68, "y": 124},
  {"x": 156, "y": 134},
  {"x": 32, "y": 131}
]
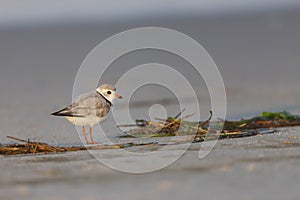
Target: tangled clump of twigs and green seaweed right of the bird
[{"x": 205, "y": 130}]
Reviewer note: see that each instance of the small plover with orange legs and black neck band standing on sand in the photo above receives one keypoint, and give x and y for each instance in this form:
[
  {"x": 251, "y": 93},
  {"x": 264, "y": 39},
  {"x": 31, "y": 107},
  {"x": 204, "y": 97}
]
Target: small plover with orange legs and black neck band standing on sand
[{"x": 90, "y": 109}]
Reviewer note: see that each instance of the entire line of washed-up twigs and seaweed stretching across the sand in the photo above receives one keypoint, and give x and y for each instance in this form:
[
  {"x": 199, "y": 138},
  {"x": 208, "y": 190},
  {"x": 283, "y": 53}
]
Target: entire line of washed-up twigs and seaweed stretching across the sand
[{"x": 196, "y": 132}]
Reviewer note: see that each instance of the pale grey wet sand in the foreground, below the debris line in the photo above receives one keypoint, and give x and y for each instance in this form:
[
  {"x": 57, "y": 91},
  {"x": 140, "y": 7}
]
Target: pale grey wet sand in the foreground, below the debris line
[{"x": 259, "y": 167}]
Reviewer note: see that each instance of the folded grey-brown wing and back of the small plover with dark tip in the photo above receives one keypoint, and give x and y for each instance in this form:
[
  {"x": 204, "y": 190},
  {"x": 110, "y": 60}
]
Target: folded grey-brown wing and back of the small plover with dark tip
[{"x": 89, "y": 104}]
